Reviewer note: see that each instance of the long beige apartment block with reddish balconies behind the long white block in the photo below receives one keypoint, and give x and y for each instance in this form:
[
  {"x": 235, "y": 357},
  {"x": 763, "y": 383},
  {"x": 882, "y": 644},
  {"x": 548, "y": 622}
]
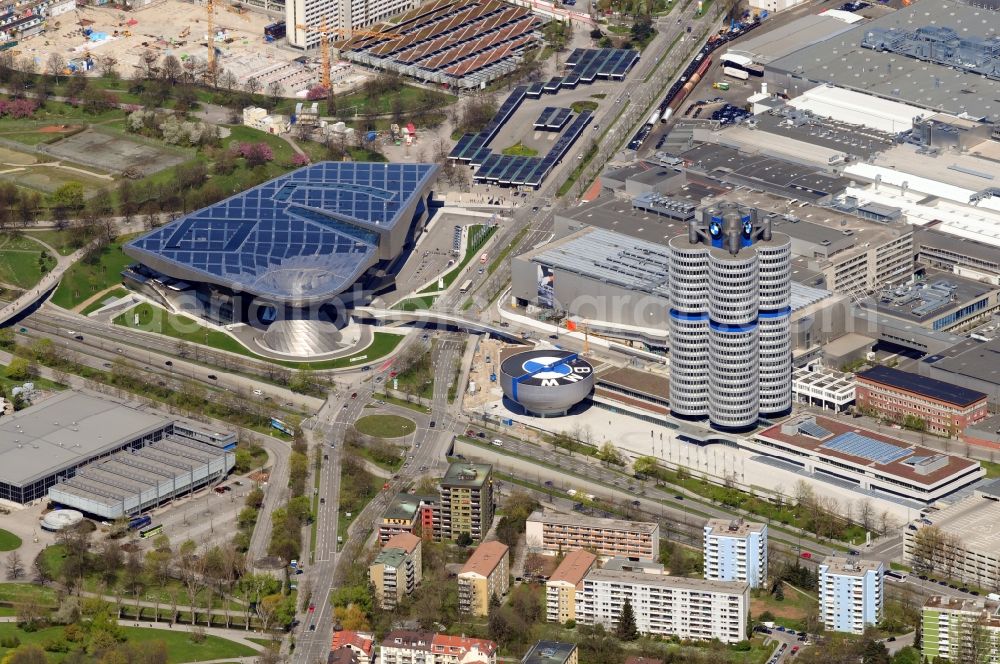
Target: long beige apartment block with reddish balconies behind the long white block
[{"x": 554, "y": 533}]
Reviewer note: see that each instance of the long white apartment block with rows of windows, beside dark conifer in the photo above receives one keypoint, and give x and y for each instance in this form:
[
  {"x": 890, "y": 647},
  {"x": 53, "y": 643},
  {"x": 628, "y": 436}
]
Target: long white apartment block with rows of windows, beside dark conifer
[{"x": 666, "y": 605}]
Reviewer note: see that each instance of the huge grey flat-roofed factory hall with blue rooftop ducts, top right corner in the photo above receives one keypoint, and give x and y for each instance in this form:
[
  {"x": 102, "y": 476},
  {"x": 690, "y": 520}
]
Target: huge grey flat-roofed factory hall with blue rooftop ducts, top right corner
[{"x": 889, "y": 57}]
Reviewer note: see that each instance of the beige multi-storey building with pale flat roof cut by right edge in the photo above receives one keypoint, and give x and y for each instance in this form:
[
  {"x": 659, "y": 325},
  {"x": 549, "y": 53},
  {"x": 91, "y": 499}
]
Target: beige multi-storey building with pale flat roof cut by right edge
[{"x": 959, "y": 542}]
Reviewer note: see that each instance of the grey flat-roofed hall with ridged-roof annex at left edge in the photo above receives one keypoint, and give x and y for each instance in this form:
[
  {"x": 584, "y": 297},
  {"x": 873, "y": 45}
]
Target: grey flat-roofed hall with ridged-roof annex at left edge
[{"x": 103, "y": 457}]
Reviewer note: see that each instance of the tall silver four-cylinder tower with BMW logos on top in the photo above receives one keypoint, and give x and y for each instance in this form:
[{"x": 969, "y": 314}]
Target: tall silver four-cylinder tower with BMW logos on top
[{"x": 730, "y": 343}]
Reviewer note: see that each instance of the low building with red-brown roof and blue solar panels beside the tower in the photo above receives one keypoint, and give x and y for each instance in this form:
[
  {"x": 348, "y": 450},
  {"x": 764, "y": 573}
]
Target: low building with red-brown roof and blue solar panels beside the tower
[{"x": 844, "y": 452}]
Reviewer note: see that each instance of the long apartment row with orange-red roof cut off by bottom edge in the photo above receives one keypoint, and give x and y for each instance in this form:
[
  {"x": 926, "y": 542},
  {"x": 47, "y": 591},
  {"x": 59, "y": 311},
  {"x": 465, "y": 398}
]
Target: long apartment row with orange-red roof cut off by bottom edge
[{"x": 403, "y": 646}]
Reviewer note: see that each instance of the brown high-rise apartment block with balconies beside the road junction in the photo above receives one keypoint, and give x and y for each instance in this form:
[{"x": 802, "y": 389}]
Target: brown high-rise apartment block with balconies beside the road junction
[{"x": 467, "y": 501}]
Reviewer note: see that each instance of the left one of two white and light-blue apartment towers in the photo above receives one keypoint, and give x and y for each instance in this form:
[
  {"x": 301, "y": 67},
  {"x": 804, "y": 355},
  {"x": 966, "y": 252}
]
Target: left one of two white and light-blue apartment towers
[{"x": 736, "y": 551}]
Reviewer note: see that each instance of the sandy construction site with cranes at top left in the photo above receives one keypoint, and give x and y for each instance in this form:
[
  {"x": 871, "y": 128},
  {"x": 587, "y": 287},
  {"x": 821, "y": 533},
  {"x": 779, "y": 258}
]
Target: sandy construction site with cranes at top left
[{"x": 86, "y": 35}]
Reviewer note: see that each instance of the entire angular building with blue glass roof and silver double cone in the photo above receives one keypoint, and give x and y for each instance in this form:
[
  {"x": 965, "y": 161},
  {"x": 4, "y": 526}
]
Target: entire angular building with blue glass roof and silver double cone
[{"x": 285, "y": 253}]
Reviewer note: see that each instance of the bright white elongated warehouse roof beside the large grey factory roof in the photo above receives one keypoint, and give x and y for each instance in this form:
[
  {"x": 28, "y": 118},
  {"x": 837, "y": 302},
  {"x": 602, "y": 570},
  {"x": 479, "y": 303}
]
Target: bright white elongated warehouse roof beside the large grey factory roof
[{"x": 859, "y": 108}]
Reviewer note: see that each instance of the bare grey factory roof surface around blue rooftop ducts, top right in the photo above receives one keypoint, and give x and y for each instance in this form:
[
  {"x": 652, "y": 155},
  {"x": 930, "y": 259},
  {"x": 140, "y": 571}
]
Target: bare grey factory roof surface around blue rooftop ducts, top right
[{"x": 842, "y": 61}]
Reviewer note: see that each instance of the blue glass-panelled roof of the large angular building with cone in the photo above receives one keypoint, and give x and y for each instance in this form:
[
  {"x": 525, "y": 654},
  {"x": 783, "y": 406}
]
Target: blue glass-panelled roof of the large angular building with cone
[{"x": 308, "y": 234}]
